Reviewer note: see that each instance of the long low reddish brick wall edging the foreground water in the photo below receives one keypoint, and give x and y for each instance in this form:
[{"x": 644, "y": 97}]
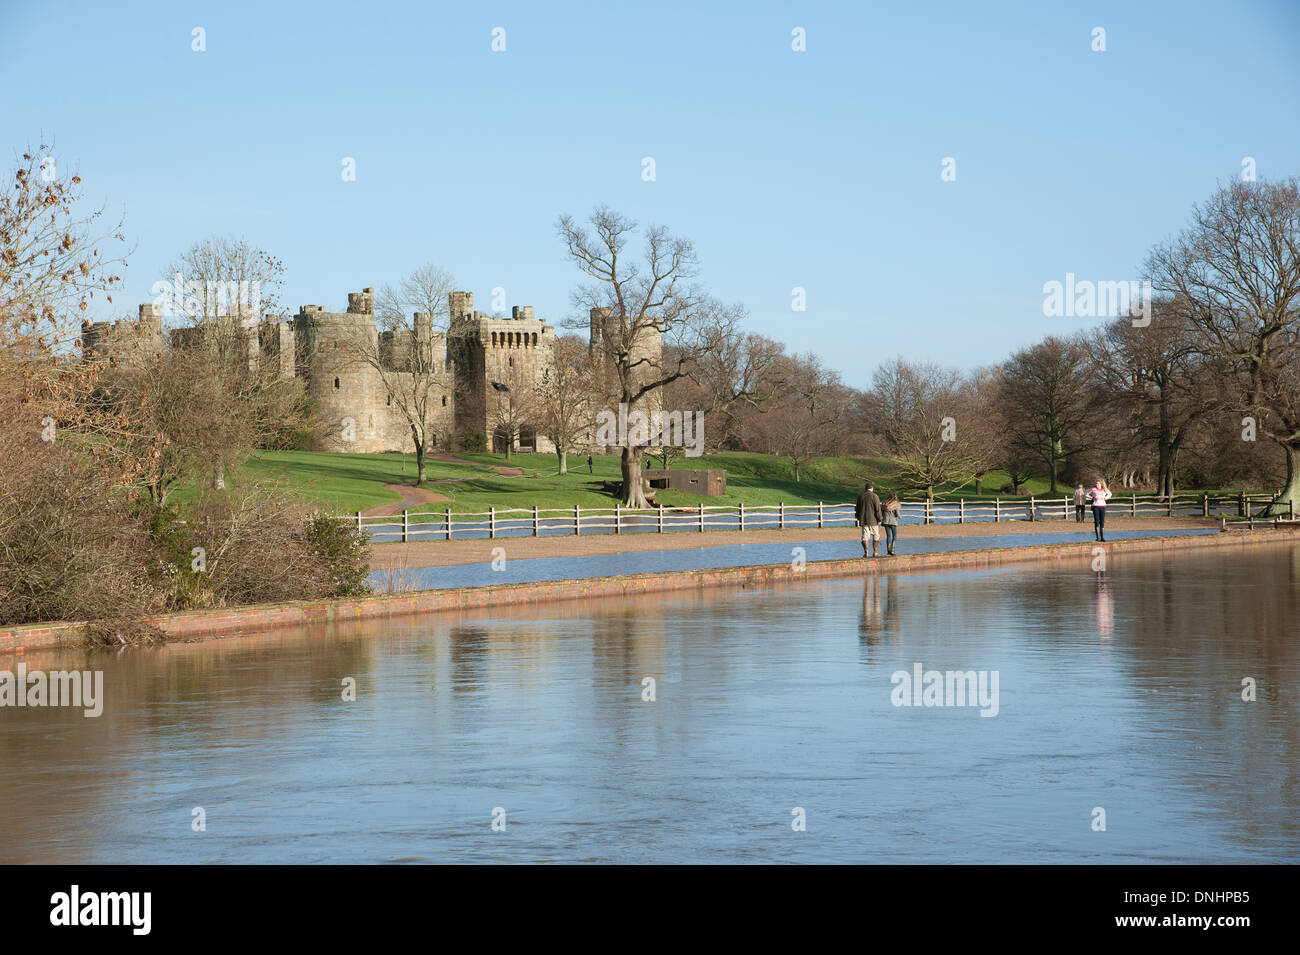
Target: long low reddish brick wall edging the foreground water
[{"x": 236, "y": 620}]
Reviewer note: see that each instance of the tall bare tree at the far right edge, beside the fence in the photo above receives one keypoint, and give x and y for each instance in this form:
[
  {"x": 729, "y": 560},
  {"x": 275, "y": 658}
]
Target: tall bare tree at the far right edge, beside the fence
[{"x": 1237, "y": 271}]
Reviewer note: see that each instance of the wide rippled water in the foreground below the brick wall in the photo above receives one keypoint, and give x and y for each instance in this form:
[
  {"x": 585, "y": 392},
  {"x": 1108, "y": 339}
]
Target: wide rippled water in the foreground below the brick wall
[{"x": 1119, "y": 691}]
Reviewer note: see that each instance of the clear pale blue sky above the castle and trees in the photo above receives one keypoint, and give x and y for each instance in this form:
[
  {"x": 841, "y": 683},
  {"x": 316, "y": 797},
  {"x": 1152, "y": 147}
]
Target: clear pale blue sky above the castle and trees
[{"x": 818, "y": 170}]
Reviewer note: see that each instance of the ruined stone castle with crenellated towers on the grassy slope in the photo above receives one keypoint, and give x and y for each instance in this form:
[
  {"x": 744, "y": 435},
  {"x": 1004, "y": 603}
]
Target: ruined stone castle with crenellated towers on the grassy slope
[{"x": 474, "y": 366}]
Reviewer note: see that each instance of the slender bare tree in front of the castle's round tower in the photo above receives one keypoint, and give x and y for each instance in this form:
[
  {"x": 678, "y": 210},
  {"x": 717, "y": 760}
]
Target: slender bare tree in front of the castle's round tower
[{"x": 410, "y": 355}]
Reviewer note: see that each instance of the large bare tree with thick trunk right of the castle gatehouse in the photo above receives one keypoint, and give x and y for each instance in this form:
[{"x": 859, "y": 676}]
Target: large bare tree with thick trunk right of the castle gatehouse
[{"x": 644, "y": 307}]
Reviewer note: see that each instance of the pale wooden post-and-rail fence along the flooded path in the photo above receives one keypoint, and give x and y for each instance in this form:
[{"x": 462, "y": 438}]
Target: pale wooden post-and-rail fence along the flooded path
[{"x": 445, "y": 526}]
